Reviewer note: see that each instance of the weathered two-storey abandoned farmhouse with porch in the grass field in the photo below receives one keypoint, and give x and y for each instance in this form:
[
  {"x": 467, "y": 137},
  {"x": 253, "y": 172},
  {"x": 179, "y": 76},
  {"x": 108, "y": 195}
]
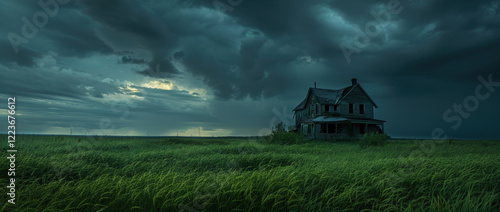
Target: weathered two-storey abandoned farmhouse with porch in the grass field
[{"x": 337, "y": 114}]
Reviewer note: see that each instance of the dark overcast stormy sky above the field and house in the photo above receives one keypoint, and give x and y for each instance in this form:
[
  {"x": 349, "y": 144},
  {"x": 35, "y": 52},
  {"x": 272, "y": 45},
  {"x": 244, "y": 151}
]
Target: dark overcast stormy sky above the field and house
[{"x": 186, "y": 67}]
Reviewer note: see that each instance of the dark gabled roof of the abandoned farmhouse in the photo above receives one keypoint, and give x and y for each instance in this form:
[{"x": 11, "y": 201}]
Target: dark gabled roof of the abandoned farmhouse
[{"x": 330, "y": 96}]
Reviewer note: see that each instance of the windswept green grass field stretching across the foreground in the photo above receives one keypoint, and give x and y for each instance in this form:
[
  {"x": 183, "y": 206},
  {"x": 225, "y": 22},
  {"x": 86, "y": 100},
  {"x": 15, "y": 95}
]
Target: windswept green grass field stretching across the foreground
[{"x": 172, "y": 174}]
